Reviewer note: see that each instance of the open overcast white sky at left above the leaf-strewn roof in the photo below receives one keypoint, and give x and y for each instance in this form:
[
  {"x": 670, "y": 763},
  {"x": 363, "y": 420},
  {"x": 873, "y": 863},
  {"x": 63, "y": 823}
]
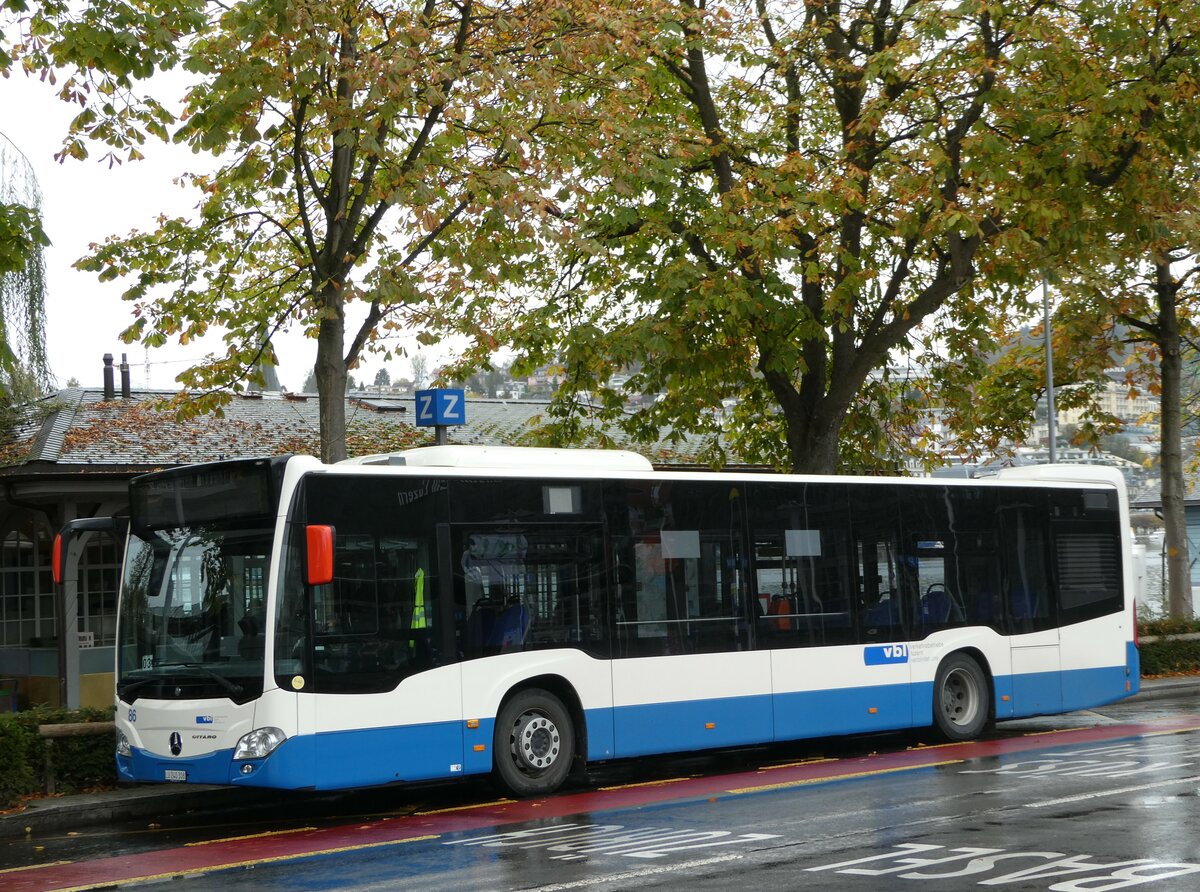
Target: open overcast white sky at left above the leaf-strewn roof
[{"x": 85, "y": 202}]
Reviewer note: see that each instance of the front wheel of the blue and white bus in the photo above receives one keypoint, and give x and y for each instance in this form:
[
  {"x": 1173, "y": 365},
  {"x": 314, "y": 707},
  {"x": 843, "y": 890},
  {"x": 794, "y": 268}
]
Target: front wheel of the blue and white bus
[{"x": 535, "y": 744}]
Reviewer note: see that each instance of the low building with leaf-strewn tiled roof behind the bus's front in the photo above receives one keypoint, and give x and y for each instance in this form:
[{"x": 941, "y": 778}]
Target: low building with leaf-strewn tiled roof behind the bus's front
[{"x": 73, "y": 456}]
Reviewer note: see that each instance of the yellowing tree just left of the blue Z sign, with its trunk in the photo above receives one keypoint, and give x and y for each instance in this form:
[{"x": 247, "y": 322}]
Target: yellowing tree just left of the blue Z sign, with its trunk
[{"x": 363, "y": 154}]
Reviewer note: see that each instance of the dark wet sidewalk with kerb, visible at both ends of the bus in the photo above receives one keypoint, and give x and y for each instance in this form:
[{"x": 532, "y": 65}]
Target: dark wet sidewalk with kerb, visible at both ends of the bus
[{"x": 140, "y": 801}]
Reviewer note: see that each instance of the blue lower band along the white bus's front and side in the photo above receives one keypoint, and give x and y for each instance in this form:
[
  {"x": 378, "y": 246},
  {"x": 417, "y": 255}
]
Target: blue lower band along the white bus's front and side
[{"x": 373, "y": 757}]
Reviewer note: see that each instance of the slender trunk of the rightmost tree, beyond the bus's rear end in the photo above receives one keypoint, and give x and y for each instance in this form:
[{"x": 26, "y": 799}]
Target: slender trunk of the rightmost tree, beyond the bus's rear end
[{"x": 1179, "y": 572}]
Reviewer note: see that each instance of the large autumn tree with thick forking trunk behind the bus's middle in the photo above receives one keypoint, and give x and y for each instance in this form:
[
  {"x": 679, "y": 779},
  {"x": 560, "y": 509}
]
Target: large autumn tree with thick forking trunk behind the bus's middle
[{"x": 775, "y": 206}]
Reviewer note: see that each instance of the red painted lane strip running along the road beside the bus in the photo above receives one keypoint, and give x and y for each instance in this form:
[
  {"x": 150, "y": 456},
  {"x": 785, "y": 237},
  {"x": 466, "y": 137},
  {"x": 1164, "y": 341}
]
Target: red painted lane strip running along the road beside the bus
[{"x": 221, "y": 855}]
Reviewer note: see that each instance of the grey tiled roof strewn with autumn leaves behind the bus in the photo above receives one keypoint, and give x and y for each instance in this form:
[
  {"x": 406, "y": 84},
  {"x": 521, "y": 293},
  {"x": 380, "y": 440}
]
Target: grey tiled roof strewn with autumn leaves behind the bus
[{"x": 79, "y": 432}]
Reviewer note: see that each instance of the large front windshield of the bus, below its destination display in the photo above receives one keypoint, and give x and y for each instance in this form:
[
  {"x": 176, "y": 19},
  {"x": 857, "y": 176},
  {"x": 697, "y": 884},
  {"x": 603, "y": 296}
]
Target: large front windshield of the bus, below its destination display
[{"x": 193, "y": 618}]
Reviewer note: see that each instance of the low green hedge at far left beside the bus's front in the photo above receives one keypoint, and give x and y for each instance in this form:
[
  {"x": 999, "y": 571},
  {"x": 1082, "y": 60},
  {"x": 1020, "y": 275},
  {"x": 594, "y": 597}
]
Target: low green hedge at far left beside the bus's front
[{"x": 80, "y": 763}]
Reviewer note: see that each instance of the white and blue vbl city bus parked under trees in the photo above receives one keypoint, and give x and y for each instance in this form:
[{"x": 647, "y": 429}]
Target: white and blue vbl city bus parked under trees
[{"x": 464, "y": 610}]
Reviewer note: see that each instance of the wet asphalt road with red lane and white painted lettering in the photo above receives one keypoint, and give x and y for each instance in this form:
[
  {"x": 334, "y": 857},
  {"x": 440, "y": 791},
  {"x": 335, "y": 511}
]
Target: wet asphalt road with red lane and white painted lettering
[{"x": 1100, "y": 800}]
